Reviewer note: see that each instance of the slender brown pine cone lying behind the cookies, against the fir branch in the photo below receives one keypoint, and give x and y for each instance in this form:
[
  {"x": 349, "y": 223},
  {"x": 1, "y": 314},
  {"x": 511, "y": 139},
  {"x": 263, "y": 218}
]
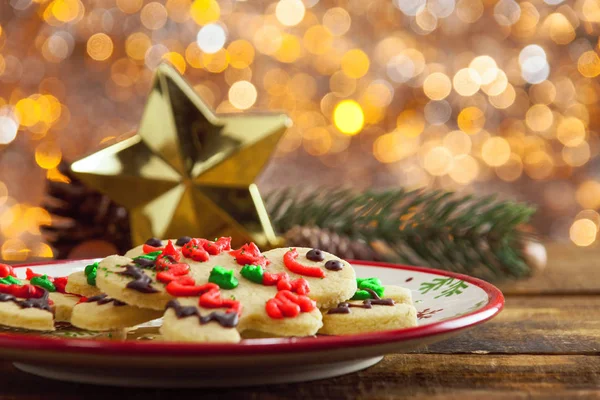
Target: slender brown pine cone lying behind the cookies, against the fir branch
[{"x": 341, "y": 246}]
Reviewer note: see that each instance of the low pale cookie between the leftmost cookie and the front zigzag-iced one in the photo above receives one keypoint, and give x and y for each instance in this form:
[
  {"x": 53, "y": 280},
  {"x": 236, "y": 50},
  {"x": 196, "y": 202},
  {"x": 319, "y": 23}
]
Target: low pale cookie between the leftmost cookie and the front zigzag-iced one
[{"x": 102, "y": 313}]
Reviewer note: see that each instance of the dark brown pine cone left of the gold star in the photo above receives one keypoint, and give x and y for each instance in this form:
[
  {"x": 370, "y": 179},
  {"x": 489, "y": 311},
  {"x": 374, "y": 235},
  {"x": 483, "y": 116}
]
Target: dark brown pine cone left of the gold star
[{"x": 83, "y": 217}]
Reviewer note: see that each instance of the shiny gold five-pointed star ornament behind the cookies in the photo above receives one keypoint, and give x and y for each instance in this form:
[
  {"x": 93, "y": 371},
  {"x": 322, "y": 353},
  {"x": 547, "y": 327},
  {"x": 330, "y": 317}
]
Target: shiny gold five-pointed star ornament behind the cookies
[{"x": 188, "y": 171}]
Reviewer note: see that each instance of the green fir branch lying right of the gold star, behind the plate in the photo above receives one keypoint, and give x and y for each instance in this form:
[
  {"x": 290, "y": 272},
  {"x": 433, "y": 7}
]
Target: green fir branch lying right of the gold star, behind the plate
[{"x": 435, "y": 228}]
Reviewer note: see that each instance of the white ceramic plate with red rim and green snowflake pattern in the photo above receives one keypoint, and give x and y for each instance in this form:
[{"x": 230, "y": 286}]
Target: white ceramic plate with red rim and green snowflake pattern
[{"x": 447, "y": 303}]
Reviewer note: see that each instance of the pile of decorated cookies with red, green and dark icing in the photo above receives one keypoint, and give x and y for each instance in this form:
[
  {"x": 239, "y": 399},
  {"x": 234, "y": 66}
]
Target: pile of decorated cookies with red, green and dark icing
[{"x": 207, "y": 292}]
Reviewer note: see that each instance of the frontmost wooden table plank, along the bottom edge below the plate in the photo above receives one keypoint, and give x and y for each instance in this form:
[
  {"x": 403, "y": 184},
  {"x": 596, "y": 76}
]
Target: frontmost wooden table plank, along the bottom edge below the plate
[{"x": 412, "y": 375}]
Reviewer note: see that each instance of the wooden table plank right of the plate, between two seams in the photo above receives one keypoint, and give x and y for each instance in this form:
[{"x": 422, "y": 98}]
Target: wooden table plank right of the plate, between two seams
[{"x": 534, "y": 325}]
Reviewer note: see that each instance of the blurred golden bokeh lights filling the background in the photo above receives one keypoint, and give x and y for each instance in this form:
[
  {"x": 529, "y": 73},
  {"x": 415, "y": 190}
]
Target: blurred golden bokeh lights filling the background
[{"x": 483, "y": 96}]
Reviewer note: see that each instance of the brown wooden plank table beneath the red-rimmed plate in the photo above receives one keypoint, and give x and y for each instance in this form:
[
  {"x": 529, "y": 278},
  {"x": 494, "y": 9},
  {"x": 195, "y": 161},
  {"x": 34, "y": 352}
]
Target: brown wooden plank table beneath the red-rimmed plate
[{"x": 545, "y": 344}]
